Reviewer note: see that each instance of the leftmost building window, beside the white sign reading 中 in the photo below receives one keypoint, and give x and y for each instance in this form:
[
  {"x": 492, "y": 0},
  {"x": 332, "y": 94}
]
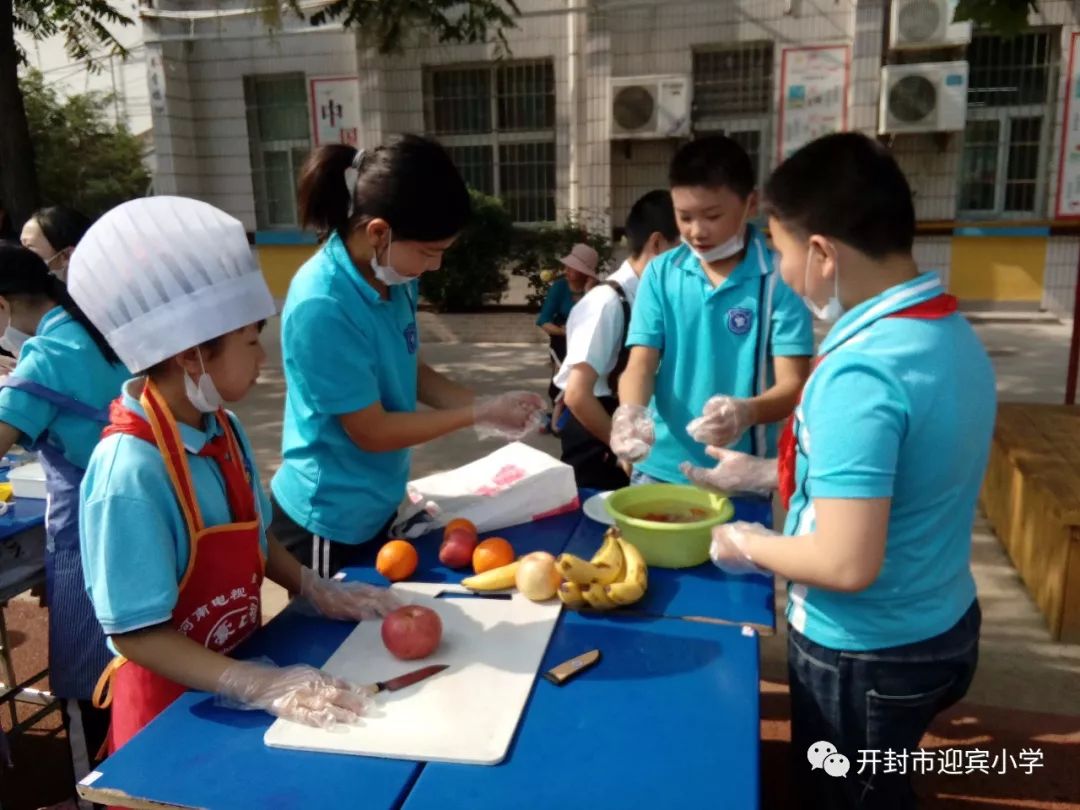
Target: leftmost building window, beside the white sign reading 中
[{"x": 279, "y": 140}]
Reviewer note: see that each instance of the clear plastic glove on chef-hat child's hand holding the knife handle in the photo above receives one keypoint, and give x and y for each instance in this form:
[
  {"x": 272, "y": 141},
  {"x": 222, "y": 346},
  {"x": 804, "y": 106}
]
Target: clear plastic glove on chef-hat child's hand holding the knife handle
[{"x": 301, "y": 694}]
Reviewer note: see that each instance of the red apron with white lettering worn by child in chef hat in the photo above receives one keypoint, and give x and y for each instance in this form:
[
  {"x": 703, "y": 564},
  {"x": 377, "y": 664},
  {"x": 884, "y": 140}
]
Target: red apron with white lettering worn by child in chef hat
[{"x": 220, "y": 595}]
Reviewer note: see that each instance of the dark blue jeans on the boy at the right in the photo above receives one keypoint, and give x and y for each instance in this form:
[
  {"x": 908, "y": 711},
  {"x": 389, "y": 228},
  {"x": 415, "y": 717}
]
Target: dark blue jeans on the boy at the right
[{"x": 873, "y": 700}]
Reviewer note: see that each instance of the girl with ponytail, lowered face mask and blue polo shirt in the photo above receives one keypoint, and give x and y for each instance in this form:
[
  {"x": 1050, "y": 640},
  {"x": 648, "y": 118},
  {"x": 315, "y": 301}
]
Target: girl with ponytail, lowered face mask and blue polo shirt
[{"x": 352, "y": 350}]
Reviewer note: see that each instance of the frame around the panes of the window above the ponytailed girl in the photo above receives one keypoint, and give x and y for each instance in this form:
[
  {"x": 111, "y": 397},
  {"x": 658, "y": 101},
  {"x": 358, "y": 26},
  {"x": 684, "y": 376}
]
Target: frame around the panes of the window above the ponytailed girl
[{"x": 494, "y": 139}]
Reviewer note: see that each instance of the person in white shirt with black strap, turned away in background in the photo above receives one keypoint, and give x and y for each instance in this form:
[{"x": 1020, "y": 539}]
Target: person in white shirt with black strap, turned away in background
[{"x": 596, "y": 347}]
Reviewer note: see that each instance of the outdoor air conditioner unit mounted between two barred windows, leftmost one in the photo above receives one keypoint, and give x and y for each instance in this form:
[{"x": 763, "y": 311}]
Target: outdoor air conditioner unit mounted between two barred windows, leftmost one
[{"x": 651, "y": 107}]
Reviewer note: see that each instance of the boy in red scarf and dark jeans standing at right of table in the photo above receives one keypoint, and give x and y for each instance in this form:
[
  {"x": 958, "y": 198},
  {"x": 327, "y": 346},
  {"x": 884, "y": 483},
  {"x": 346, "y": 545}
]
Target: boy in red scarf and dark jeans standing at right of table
[{"x": 882, "y": 466}]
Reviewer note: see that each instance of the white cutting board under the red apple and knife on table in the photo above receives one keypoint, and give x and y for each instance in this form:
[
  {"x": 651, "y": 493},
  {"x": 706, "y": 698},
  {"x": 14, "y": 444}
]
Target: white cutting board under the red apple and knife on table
[{"x": 467, "y": 713}]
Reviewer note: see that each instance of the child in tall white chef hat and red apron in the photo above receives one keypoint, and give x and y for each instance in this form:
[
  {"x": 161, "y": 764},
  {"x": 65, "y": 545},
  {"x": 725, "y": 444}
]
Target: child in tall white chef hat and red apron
[{"x": 173, "y": 515}]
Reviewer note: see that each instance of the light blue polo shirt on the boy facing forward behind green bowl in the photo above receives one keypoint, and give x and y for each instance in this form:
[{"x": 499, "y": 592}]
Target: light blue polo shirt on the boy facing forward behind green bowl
[{"x": 712, "y": 342}]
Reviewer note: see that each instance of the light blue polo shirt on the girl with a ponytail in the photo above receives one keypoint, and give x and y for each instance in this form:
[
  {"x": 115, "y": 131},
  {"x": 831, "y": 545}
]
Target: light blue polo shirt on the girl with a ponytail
[{"x": 345, "y": 349}]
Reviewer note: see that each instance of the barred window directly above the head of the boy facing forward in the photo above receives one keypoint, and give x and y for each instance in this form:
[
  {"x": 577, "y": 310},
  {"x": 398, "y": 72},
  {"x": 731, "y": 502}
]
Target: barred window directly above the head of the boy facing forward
[{"x": 733, "y": 94}]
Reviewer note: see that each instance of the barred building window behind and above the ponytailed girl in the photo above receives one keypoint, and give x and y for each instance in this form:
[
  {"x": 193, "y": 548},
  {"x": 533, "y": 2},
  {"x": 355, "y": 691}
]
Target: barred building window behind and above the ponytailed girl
[{"x": 498, "y": 124}]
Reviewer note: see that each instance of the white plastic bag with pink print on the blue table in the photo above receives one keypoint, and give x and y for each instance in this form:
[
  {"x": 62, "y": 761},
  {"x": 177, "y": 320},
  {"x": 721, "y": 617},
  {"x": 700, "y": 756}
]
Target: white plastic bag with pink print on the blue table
[{"x": 516, "y": 484}]
